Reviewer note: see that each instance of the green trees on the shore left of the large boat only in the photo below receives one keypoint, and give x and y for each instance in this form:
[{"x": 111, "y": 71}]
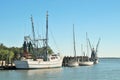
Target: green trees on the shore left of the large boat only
[{"x": 9, "y": 54}]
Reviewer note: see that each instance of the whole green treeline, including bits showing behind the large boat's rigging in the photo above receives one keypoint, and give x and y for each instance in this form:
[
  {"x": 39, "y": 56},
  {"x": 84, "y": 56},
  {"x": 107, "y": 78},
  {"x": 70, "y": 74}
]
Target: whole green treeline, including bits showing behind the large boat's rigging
[{"x": 9, "y": 54}]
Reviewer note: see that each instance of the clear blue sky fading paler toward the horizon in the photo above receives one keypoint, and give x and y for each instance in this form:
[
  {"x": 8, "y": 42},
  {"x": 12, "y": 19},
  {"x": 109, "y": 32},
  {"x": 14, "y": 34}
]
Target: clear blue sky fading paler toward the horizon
[{"x": 99, "y": 18}]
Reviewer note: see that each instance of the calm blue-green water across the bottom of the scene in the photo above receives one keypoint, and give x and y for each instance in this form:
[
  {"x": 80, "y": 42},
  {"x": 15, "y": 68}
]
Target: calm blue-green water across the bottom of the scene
[{"x": 107, "y": 69}]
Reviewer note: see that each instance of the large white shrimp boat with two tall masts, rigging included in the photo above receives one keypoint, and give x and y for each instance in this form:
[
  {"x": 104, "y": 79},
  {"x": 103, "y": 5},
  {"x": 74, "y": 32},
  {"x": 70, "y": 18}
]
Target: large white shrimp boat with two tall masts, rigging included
[{"x": 31, "y": 58}]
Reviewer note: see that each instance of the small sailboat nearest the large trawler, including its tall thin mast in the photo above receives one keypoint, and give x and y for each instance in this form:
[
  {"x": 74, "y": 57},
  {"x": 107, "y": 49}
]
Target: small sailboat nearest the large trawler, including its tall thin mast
[{"x": 73, "y": 62}]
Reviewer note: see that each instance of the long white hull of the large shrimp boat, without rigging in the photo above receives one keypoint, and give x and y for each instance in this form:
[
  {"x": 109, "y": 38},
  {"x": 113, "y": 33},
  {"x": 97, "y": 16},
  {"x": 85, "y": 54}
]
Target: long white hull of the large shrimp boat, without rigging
[{"x": 30, "y": 64}]
